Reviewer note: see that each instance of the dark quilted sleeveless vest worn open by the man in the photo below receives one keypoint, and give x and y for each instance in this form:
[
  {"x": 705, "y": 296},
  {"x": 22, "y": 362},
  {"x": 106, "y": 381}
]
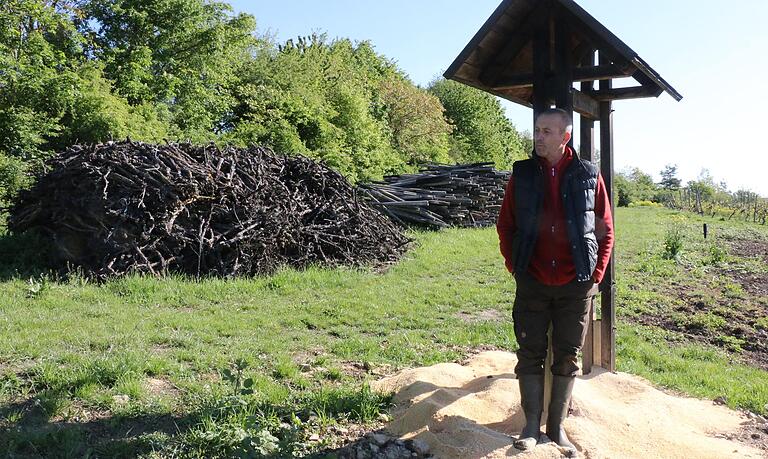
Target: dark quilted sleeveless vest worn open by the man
[{"x": 578, "y": 187}]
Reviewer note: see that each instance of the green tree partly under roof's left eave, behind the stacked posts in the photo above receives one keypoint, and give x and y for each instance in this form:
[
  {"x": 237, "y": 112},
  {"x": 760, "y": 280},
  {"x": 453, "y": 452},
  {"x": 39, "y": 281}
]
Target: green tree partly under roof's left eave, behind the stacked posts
[{"x": 481, "y": 130}]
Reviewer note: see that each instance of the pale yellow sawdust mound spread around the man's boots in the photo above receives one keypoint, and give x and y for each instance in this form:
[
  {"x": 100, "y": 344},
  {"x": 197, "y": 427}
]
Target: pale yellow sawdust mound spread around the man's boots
[{"x": 473, "y": 410}]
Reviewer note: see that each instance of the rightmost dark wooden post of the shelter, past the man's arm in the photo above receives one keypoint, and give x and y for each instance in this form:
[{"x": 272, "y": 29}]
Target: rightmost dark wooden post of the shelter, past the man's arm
[{"x": 608, "y": 286}]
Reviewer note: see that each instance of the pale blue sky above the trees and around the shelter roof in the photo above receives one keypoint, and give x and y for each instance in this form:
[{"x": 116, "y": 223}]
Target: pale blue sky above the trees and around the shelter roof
[{"x": 712, "y": 52}]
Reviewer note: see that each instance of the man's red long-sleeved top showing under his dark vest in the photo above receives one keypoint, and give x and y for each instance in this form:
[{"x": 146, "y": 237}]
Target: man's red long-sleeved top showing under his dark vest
[{"x": 552, "y": 260}]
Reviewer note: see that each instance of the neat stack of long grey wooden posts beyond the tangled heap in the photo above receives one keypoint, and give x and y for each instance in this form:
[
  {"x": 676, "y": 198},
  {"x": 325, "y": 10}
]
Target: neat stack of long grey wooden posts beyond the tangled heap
[{"x": 440, "y": 196}]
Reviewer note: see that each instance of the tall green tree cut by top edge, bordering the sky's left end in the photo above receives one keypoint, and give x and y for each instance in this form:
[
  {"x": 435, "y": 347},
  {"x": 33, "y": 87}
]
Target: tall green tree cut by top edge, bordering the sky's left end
[{"x": 185, "y": 54}]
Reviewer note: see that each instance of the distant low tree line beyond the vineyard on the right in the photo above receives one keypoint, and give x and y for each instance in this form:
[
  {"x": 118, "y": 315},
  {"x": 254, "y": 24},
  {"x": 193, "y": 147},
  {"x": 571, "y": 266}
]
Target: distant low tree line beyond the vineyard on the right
[{"x": 704, "y": 195}]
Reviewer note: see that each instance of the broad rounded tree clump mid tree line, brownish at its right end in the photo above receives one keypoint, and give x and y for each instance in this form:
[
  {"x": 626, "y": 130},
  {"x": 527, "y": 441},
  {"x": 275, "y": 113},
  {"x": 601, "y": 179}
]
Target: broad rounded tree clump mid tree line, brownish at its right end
[{"x": 339, "y": 102}]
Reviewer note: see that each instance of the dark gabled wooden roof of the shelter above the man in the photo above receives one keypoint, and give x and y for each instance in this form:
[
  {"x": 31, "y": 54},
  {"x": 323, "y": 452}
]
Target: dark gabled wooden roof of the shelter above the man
[{"x": 499, "y": 59}]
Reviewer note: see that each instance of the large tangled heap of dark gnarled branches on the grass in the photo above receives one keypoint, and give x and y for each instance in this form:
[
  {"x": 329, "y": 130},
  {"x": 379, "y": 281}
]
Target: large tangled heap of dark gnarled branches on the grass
[{"x": 123, "y": 207}]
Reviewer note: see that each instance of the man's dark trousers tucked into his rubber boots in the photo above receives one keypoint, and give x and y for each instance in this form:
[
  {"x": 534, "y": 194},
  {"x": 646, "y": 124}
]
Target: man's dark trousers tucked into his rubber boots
[{"x": 566, "y": 307}]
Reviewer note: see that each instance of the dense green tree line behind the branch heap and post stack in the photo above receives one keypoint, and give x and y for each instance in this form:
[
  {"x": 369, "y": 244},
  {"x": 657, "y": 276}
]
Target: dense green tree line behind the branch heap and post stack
[{"x": 82, "y": 71}]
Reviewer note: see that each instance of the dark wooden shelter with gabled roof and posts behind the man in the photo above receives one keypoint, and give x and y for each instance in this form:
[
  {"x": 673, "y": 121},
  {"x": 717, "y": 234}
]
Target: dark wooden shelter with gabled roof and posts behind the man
[{"x": 532, "y": 52}]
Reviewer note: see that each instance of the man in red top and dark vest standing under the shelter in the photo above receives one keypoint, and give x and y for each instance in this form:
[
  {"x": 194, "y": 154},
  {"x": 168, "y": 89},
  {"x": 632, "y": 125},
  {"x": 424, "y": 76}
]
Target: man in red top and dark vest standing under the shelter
[{"x": 556, "y": 235}]
